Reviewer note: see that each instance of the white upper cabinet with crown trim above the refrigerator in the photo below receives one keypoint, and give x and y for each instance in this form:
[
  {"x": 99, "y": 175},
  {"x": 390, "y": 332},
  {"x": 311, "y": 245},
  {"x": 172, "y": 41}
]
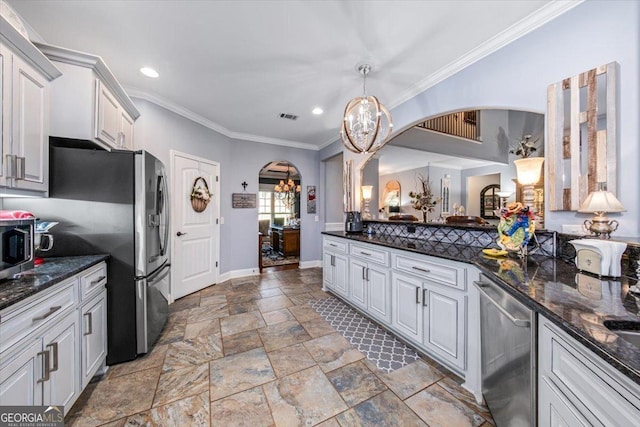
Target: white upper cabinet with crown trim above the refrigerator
[{"x": 88, "y": 103}]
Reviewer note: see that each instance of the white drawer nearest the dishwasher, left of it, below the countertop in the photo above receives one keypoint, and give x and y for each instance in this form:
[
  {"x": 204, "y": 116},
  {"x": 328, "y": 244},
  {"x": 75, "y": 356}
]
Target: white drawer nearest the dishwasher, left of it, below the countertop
[{"x": 433, "y": 270}]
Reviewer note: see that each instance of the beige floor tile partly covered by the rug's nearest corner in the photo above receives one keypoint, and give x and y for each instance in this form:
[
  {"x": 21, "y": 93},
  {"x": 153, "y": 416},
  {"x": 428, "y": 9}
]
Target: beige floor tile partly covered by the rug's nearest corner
[{"x": 409, "y": 379}]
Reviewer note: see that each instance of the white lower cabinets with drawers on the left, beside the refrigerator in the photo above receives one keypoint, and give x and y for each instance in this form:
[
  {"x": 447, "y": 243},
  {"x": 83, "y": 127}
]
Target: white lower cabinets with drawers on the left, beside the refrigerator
[{"x": 46, "y": 357}]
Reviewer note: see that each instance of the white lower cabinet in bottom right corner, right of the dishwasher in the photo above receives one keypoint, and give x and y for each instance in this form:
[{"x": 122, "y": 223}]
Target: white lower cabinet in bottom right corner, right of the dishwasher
[{"x": 579, "y": 388}]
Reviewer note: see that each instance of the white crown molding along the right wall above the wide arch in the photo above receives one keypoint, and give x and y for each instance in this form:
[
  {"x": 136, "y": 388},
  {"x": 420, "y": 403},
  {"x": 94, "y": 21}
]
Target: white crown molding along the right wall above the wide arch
[{"x": 526, "y": 25}]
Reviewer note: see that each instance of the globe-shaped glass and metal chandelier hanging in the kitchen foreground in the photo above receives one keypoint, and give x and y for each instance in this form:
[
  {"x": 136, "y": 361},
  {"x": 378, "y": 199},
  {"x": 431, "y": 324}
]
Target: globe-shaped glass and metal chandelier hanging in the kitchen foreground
[{"x": 366, "y": 125}]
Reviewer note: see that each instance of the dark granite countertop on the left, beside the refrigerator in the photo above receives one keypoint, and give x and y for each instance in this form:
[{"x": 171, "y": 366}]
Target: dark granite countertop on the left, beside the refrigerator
[{"x": 41, "y": 277}]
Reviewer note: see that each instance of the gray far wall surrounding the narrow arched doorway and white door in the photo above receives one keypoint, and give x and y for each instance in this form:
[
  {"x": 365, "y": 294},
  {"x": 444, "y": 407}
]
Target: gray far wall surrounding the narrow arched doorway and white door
[{"x": 159, "y": 130}]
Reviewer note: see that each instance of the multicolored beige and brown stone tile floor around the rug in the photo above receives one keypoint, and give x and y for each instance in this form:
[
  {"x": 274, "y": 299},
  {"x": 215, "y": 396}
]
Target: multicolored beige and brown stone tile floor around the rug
[{"x": 253, "y": 352}]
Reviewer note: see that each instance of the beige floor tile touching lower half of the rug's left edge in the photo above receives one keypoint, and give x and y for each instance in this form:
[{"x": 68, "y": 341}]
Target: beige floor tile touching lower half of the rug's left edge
[{"x": 332, "y": 351}]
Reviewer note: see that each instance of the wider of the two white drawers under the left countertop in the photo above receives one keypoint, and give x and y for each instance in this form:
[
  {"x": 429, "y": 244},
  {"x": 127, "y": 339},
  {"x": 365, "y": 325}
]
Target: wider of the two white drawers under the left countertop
[{"x": 21, "y": 322}]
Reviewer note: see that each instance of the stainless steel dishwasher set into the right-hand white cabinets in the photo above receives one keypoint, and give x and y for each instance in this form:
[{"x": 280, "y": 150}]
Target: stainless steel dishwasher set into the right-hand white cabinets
[{"x": 508, "y": 351}]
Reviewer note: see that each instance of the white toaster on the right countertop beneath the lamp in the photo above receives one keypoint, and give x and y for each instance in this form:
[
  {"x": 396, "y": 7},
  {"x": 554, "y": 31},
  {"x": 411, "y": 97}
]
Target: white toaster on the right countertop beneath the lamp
[{"x": 599, "y": 257}]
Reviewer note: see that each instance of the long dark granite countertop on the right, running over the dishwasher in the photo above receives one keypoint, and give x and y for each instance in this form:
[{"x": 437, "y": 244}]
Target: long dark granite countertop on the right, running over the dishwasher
[{"x": 576, "y": 302}]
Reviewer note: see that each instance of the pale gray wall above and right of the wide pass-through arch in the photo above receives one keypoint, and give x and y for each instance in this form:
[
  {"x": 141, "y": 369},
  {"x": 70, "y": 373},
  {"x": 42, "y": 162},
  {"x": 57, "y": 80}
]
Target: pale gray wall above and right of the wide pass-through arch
[{"x": 517, "y": 76}]
